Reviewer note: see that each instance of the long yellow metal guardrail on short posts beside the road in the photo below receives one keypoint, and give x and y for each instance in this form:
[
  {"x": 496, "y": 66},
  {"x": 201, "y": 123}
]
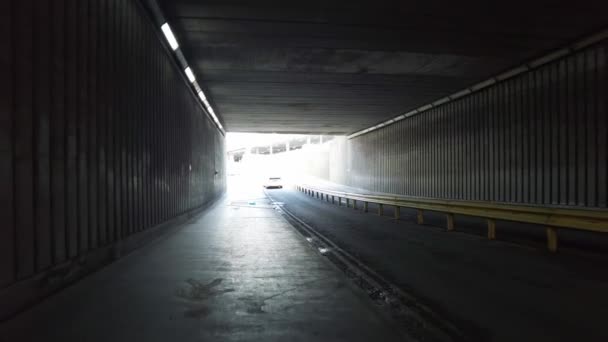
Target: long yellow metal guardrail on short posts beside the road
[{"x": 549, "y": 217}]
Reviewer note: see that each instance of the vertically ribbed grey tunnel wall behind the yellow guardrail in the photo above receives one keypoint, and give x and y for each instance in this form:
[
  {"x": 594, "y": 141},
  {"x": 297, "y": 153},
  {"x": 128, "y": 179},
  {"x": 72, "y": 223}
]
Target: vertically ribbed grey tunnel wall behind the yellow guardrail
[{"x": 538, "y": 138}]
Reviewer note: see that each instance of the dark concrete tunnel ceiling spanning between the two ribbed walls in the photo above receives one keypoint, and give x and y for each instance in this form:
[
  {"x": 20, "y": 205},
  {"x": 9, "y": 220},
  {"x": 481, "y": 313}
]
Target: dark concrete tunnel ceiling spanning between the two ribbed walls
[{"x": 340, "y": 66}]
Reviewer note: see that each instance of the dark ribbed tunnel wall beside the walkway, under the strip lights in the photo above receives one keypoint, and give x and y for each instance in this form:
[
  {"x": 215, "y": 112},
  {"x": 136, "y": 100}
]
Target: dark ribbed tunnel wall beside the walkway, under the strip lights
[{"x": 100, "y": 136}]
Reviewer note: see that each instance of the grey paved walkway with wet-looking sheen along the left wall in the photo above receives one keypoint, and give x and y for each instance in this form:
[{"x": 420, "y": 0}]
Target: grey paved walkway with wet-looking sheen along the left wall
[{"x": 239, "y": 272}]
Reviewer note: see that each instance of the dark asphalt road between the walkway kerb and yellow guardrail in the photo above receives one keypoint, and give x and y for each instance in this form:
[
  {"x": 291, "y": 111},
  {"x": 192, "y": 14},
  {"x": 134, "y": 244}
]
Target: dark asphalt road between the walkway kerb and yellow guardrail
[{"x": 495, "y": 290}]
